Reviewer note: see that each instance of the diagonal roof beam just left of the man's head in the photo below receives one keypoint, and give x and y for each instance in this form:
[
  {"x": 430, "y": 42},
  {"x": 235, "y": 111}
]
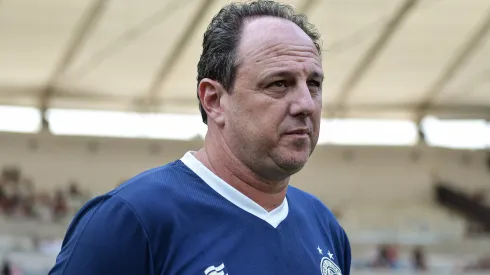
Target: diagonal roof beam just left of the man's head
[{"x": 176, "y": 52}]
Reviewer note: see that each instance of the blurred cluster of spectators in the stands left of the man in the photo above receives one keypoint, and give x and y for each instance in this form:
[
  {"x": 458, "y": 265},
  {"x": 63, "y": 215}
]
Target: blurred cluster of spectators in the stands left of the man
[{"x": 19, "y": 198}]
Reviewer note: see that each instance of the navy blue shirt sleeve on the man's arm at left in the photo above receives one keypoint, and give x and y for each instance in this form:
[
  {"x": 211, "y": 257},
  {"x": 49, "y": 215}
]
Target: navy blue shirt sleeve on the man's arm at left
[{"x": 105, "y": 237}]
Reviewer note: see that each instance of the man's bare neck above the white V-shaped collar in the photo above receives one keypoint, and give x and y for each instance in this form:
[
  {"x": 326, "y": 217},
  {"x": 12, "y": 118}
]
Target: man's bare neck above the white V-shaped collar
[{"x": 221, "y": 161}]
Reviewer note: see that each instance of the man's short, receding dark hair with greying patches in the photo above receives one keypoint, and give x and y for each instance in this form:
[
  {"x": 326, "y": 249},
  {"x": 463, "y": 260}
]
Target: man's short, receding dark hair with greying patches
[{"x": 221, "y": 39}]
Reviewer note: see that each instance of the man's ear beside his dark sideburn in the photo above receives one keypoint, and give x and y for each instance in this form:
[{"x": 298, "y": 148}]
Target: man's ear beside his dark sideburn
[{"x": 211, "y": 95}]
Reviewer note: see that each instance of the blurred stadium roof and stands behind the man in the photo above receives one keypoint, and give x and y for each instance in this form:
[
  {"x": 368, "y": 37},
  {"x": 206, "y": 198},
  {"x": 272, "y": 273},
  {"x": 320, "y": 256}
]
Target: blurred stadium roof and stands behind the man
[{"x": 93, "y": 92}]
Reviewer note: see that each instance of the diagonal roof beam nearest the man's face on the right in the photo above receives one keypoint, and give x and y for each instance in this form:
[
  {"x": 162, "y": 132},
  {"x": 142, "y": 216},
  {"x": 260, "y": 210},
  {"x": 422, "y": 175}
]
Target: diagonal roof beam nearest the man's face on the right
[{"x": 373, "y": 52}]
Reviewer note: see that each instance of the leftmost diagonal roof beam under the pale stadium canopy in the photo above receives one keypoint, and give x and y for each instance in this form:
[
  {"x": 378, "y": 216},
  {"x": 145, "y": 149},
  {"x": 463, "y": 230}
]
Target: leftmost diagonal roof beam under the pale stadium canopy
[{"x": 83, "y": 30}]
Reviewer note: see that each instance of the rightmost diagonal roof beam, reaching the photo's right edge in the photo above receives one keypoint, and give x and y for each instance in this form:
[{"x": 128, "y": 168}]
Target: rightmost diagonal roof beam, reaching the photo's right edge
[{"x": 459, "y": 60}]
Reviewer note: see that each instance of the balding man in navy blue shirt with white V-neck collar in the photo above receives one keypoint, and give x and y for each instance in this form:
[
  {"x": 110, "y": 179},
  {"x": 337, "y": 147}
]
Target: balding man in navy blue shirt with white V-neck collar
[{"x": 227, "y": 208}]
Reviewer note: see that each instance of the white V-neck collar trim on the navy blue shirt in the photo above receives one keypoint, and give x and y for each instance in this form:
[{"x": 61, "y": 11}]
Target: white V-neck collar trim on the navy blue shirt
[{"x": 274, "y": 217}]
